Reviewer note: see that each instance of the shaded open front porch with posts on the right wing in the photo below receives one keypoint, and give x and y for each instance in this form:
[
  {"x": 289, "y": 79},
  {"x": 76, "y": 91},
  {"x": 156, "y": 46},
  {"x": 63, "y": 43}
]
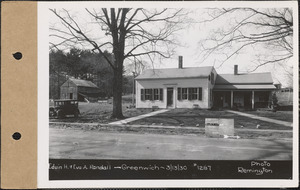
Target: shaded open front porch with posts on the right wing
[{"x": 238, "y": 99}]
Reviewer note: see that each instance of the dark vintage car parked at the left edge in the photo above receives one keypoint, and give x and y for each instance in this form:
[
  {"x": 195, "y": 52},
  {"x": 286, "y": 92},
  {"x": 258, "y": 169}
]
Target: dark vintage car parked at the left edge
[{"x": 62, "y": 108}]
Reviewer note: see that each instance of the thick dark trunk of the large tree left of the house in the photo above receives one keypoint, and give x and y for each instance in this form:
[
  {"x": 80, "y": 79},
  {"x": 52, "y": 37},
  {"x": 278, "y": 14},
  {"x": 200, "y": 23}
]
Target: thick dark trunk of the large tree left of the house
[{"x": 117, "y": 93}]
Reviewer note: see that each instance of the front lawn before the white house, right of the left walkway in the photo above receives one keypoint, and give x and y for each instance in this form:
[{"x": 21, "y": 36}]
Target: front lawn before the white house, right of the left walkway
[{"x": 196, "y": 117}]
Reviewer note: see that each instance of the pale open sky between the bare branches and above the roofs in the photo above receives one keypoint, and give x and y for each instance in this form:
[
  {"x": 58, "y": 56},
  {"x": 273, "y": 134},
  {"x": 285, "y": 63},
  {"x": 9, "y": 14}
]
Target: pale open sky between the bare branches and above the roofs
[{"x": 189, "y": 39}]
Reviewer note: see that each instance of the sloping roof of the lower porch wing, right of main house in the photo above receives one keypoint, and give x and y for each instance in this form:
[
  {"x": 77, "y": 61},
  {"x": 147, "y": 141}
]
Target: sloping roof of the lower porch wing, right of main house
[{"x": 252, "y": 78}]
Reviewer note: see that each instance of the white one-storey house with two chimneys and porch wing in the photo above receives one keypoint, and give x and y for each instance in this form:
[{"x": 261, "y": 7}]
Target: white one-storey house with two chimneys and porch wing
[{"x": 201, "y": 87}]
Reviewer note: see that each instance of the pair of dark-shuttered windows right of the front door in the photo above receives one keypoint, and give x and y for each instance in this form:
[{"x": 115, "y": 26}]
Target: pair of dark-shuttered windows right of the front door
[{"x": 189, "y": 94}]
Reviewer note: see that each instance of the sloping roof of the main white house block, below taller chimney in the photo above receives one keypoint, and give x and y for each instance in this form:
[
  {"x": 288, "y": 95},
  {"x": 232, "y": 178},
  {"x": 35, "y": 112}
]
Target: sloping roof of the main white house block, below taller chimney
[{"x": 187, "y": 72}]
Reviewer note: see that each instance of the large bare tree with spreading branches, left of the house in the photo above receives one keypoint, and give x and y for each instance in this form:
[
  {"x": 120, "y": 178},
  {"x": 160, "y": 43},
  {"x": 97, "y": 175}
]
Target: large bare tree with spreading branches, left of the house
[{"x": 128, "y": 33}]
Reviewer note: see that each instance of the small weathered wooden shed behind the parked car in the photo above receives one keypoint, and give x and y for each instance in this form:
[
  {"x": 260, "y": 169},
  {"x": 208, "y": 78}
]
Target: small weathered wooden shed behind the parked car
[{"x": 78, "y": 89}]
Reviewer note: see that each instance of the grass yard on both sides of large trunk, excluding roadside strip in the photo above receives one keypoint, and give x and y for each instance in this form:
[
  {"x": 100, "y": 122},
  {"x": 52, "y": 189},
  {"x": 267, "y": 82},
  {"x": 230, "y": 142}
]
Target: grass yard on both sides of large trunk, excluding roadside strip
[{"x": 101, "y": 113}]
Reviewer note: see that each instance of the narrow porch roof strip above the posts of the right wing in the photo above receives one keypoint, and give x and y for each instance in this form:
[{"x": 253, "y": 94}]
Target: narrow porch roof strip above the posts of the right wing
[{"x": 245, "y": 87}]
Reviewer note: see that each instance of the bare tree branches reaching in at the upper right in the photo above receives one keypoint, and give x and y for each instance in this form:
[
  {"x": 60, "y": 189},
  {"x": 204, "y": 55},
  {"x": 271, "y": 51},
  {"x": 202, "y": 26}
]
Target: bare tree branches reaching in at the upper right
[{"x": 268, "y": 31}]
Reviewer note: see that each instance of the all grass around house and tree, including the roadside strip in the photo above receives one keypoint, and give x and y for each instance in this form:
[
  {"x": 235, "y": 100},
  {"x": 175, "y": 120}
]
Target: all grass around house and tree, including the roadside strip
[{"x": 100, "y": 113}]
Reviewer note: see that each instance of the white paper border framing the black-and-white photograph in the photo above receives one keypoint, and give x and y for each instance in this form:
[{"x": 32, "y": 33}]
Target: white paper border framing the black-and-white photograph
[{"x": 43, "y": 96}]
